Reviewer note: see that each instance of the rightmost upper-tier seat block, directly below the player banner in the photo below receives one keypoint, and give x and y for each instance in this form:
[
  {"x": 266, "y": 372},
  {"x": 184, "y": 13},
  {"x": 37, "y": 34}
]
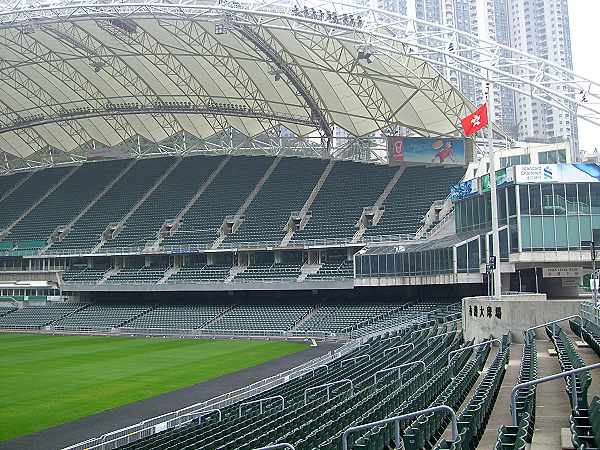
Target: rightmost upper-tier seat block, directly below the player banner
[{"x": 411, "y": 198}]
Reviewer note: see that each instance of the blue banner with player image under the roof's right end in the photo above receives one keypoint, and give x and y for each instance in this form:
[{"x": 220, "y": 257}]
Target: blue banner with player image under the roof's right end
[{"x": 447, "y": 151}]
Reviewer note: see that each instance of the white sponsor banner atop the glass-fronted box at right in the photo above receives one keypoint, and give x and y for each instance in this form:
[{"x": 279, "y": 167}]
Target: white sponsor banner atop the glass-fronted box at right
[{"x": 557, "y": 173}]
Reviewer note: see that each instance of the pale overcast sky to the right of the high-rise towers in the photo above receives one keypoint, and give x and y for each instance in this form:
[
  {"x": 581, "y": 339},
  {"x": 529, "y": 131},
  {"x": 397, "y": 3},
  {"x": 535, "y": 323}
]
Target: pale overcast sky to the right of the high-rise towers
[{"x": 585, "y": 36}]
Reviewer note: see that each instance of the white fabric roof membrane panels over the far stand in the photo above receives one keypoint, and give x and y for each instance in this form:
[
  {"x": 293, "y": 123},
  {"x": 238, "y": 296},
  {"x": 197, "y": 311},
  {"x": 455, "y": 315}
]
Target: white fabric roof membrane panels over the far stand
[{"x": 70, "y": 79}]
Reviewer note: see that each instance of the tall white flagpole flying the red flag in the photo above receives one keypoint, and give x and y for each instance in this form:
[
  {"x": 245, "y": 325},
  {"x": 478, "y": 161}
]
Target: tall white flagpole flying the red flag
[{"x": 497, "y": 287}]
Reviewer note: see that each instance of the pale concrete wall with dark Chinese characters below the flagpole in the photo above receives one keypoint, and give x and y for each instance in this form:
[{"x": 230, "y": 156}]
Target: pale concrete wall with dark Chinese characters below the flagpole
[{"x": 515, "y": 313}]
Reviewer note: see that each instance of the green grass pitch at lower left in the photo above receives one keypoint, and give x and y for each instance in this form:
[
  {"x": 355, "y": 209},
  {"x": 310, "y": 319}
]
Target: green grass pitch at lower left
[{"x": 49, "y": 380}]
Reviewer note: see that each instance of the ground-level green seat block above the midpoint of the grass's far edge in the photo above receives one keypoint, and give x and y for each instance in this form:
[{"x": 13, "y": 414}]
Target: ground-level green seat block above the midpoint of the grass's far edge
[{"x": 178, "y": 317}]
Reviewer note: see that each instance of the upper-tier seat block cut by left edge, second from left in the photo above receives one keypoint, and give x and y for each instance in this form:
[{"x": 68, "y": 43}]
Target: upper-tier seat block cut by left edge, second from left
[{"x": 28, "y": 193}]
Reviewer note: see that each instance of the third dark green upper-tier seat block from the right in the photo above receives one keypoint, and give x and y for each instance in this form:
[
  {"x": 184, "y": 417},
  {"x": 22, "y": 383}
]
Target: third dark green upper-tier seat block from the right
[{"x": 286, "y": 191}]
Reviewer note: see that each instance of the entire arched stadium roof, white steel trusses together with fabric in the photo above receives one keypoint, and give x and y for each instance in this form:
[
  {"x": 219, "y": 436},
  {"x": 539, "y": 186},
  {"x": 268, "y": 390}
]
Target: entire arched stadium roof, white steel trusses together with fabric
[{"x": 260, "y": 77}]
